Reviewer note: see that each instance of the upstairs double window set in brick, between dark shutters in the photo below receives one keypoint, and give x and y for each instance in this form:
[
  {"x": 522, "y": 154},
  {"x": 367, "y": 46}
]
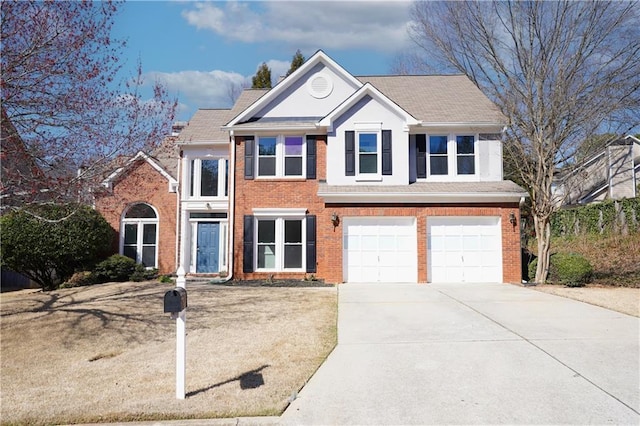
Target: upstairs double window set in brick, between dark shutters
[{"x": 281, "y": 156}]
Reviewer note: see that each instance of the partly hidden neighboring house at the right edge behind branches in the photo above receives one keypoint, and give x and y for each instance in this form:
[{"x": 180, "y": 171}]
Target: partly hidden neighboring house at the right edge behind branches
[{"x": 612, "y": 174}]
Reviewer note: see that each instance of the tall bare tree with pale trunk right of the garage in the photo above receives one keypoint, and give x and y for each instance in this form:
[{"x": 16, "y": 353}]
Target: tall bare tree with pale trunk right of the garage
[{"x": 559, "y": 71}]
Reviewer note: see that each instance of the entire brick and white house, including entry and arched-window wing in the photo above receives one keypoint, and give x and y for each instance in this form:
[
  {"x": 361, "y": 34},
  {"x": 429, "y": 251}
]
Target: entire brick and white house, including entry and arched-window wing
[{"x": 334, "y": 177}]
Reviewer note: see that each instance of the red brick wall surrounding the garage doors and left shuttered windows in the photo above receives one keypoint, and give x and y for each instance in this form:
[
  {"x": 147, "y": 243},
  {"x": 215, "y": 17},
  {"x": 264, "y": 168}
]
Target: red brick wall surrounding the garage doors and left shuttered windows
[{"x": 303, "y": 193}]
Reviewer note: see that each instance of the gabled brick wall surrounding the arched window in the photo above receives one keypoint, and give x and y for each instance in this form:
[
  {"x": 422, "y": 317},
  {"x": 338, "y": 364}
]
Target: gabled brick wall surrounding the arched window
[{"x": 143, "y": 184}]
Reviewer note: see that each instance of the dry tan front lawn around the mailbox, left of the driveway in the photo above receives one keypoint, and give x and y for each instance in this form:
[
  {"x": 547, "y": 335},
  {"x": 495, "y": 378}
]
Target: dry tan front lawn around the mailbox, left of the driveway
[{"x": 107, "y": 352}]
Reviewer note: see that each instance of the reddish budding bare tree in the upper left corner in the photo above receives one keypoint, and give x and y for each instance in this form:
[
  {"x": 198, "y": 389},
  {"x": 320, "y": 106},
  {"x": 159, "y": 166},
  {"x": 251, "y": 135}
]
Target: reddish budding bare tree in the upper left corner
[{"x": 65, "y": 104}]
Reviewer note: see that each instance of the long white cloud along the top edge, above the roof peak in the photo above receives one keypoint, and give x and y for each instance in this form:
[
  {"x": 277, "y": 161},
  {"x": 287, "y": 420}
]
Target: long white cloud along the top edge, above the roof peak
[{"x": 308, "y": 25}]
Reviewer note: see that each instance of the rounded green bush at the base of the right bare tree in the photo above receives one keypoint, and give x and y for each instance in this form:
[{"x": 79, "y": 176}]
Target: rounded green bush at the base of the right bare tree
[{"x": 570, "y": 269}]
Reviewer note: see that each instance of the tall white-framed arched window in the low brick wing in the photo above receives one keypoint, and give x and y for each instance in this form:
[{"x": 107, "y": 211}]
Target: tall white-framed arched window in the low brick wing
[{"x": 139, "y": 234}]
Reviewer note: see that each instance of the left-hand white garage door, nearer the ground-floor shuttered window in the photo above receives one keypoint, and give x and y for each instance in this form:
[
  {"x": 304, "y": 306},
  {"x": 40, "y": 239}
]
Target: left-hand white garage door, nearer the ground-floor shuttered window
[{"x": 379, "y": 250}]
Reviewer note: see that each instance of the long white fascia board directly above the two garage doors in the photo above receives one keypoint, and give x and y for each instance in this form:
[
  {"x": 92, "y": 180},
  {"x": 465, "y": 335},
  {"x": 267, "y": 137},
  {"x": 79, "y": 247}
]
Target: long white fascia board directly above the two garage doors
[{"x": 472, "y": 197}]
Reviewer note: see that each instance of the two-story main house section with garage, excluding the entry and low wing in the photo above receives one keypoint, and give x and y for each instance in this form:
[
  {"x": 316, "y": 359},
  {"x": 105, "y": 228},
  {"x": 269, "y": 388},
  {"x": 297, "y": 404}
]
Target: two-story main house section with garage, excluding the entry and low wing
[{"x": 391, "y": 178}]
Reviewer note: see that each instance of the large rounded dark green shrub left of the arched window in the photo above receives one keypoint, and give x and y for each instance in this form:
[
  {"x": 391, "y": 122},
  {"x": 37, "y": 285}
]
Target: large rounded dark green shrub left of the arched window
[{"x": 49, "y": 242}]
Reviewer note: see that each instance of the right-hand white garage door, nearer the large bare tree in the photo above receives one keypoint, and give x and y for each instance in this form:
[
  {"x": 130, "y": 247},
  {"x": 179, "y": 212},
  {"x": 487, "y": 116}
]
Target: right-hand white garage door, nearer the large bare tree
[{"x": 464, "y": 249}]
